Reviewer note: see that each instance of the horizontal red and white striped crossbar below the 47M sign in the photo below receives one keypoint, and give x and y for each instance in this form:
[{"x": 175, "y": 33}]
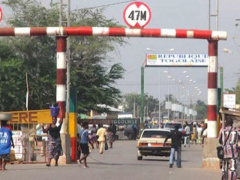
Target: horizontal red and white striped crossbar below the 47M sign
[{"x": 107, "y": 31}]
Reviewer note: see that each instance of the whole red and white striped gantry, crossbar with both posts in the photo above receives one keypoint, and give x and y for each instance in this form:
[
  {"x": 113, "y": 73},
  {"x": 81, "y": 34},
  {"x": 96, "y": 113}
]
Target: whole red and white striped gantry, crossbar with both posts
[{"x": 61, "y": 33}]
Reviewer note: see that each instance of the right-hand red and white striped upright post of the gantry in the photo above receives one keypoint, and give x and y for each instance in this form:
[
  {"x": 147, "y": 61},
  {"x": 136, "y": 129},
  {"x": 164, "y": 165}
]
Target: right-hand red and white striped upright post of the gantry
[{"x": 212, "y": 88}]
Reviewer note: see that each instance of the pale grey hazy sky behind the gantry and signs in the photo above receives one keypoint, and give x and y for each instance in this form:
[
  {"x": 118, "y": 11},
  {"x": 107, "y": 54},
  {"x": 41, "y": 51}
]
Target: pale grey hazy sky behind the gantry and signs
[{"x": 172, "y": 14}]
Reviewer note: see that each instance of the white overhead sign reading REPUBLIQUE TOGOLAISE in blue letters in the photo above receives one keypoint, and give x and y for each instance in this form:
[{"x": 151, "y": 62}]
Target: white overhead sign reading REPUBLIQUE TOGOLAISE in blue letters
[{"x": 178, "y": 60}]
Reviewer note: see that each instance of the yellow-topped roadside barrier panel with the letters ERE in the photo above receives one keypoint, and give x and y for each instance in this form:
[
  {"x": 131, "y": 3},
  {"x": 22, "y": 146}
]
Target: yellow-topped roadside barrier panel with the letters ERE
[{"x": 30, "y": 142}]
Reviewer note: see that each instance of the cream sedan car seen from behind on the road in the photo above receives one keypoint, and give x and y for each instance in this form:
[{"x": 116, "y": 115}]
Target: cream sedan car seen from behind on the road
[{"x": 151, "y": 143}]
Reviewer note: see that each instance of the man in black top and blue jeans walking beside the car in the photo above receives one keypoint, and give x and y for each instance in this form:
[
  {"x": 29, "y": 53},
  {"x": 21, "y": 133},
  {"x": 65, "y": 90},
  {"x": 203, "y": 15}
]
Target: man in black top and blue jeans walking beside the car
[{"x": 176, "y": 137}]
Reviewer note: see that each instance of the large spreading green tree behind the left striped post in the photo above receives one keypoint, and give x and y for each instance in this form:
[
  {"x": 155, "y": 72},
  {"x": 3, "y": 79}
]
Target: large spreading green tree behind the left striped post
[{"x": 36, "y": 56}]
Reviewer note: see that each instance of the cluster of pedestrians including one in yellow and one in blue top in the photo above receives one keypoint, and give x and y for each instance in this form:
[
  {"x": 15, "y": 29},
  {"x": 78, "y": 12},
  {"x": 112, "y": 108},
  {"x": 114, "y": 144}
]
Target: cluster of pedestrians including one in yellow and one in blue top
[{"x": 97, "y": 136}]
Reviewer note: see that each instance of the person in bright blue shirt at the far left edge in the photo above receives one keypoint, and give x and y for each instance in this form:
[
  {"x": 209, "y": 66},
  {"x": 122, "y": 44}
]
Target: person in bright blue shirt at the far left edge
[{"x": 5, "y": 145}]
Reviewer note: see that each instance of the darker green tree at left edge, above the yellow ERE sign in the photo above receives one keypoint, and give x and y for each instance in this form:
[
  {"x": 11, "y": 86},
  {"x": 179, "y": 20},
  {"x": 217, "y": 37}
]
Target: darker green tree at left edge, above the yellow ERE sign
[{"x": 15, "y": 80}]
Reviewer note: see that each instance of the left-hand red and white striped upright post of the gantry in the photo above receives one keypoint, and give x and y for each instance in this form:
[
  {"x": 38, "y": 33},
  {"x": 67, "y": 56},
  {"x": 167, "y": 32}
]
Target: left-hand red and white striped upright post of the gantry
[{"x": 61, "y": 77}]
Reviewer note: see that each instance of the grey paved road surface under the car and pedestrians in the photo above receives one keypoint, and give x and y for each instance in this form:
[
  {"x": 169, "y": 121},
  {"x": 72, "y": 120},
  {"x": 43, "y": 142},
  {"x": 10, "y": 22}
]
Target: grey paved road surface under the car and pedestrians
[{"x": 119, "y": 163}]
